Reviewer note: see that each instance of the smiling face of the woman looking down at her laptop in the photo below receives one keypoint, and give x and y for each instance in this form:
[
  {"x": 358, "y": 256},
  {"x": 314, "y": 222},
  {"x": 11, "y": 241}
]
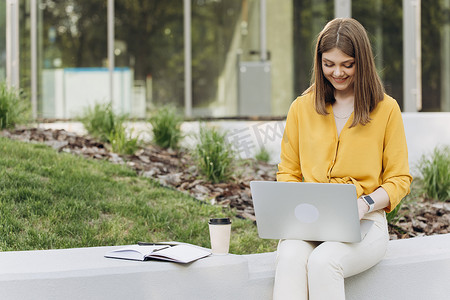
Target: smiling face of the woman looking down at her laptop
[{"x": 339, "y": 69}]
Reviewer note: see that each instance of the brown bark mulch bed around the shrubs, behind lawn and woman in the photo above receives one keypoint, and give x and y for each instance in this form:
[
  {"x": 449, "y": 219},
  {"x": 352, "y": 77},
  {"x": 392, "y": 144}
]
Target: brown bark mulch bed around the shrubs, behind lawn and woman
[{"x": 175, "y": 169}]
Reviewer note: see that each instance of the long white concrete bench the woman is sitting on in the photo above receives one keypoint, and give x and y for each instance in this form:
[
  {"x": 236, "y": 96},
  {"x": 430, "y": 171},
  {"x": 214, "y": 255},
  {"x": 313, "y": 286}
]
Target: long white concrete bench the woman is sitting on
[{"x": 416, "y": 268}]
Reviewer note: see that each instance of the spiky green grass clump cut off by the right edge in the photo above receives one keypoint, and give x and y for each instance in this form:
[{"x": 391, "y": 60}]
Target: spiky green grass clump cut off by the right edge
[{"x": 435, "y": 173}]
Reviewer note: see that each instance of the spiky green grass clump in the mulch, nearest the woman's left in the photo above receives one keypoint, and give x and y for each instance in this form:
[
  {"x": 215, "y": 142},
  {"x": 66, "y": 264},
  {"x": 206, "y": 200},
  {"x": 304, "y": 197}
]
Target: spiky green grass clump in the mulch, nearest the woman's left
[{"x": 214, "y": 155}]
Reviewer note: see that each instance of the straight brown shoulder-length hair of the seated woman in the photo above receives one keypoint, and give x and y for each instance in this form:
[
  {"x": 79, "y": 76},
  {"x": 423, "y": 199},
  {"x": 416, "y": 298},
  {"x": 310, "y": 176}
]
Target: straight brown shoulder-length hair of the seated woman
[{"x": 349, "y": 36}]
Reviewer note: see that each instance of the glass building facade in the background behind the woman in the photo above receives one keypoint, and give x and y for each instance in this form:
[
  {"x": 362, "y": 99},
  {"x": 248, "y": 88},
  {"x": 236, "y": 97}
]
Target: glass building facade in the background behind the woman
[{"x": 232, "y": 75}]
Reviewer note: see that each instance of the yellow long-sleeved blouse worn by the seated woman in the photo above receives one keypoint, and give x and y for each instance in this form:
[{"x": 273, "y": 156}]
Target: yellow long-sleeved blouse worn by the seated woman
[{"x": 367, "y": 156}]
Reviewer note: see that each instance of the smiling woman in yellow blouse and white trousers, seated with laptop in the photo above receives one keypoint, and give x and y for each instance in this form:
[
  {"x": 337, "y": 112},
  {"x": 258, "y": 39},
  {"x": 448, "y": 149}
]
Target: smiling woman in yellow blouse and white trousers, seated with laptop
[{"x": 343, "y": 129}]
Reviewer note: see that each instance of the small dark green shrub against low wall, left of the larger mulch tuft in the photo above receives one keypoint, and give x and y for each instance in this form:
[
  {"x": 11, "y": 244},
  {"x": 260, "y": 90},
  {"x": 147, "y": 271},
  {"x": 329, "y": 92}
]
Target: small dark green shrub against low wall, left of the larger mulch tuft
[{"x": 166, "y": 127}]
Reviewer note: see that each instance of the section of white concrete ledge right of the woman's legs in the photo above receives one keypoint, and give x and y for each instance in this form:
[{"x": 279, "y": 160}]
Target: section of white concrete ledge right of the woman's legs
[{"x": 413, "y": 269}]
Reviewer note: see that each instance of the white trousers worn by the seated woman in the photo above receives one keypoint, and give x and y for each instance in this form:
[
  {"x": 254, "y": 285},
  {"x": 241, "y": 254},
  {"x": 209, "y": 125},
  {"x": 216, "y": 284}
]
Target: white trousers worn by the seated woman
[{"x": 316, "y": 270}]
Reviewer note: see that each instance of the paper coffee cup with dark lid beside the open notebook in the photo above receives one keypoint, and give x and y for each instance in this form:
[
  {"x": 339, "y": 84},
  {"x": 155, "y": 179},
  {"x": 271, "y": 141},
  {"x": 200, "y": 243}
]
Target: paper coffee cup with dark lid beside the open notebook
[{"x": 219, "y": 232}]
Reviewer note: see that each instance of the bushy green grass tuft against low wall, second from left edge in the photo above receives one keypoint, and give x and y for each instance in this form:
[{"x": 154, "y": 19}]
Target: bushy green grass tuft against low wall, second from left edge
[{"x": 101, "y": 121}]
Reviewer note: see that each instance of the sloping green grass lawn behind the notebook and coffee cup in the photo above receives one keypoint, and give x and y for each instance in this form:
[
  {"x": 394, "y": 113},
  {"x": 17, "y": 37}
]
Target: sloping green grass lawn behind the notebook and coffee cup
[{"x": 51, "y": 200}]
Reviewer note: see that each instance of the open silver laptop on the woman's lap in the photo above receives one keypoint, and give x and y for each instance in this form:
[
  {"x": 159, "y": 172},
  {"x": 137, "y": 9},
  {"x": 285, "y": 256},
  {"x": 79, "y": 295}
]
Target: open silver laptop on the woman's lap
[{"x": 307, "y": 211}]
